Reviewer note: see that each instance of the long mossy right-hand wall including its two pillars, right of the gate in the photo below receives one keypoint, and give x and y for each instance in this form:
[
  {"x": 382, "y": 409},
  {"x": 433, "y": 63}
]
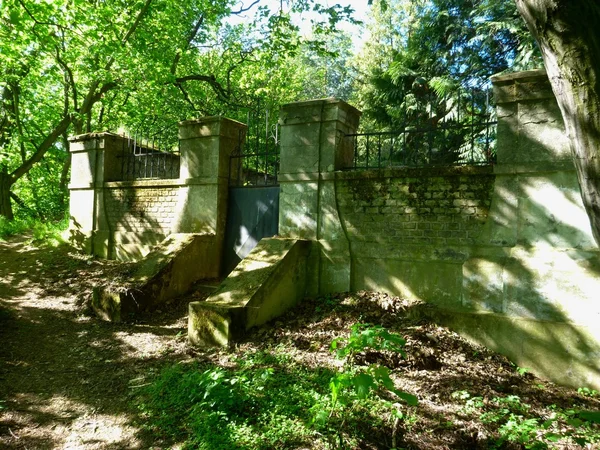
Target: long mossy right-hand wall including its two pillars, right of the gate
[{"x": 505, "y": 254}]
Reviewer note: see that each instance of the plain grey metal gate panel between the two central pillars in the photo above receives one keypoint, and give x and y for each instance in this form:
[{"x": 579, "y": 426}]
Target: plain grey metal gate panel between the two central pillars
[{"x": 252, "y": 214}]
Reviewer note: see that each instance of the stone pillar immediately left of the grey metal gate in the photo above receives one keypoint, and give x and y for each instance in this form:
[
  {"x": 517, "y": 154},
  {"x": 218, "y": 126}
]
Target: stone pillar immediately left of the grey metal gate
[{"x": 206, "y": 146}]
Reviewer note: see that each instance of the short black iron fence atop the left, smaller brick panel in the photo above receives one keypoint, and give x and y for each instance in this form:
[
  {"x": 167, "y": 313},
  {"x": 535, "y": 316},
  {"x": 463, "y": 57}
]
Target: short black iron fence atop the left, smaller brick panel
[{"x": 144, "y": 159}]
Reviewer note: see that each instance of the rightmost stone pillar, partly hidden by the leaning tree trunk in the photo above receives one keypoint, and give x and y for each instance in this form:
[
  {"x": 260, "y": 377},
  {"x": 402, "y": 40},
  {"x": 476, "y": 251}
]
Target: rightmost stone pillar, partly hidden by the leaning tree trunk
[{"x": 534, "y": 169}]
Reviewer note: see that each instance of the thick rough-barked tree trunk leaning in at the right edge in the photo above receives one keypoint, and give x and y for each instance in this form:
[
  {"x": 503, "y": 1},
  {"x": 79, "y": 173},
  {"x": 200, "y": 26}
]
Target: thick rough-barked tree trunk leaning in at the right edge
[{"x": 568, "y": 33}]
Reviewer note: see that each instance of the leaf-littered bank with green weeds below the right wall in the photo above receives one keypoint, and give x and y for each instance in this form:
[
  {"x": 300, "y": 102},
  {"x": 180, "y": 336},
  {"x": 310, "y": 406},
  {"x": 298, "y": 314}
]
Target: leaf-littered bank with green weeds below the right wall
[{"x": 283, "y": 392}]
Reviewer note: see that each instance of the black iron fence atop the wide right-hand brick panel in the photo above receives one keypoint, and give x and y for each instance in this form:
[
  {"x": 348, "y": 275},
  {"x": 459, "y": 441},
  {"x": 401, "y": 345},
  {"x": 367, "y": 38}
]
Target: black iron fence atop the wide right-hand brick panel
[{"x": 460, "y": 130}]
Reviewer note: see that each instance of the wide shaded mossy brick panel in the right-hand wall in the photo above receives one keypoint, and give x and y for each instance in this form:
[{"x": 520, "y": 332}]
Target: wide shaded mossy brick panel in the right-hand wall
[{"x": 446, "y": 206}]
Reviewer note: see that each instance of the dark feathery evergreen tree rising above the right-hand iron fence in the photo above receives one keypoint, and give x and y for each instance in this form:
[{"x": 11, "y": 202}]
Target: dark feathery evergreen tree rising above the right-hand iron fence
[{"x": 437, "y": 47}]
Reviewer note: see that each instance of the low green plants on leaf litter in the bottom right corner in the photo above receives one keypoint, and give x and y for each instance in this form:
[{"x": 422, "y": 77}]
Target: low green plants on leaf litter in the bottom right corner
[{"x": 518, "y": 424}]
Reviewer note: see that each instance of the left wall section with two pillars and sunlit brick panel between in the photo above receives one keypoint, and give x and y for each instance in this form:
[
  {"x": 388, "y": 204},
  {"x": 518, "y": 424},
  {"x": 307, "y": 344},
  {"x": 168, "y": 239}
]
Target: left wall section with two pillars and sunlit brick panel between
[{"x": 126, "y": 219}]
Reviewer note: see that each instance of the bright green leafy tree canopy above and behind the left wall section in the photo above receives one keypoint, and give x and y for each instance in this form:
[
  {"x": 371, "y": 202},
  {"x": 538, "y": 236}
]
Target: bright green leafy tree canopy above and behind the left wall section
[{"x": 73, "y": 66}]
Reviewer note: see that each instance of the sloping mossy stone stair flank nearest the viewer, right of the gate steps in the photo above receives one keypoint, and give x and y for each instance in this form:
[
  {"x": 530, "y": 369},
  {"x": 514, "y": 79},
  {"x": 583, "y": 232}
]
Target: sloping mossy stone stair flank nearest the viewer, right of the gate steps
[{"x": 270, "y": 280}]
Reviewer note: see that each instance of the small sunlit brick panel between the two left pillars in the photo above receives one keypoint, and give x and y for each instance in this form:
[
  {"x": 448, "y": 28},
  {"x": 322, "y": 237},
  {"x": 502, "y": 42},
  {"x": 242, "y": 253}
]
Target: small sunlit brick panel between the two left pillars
[{"x": 141, "y": 208}]
